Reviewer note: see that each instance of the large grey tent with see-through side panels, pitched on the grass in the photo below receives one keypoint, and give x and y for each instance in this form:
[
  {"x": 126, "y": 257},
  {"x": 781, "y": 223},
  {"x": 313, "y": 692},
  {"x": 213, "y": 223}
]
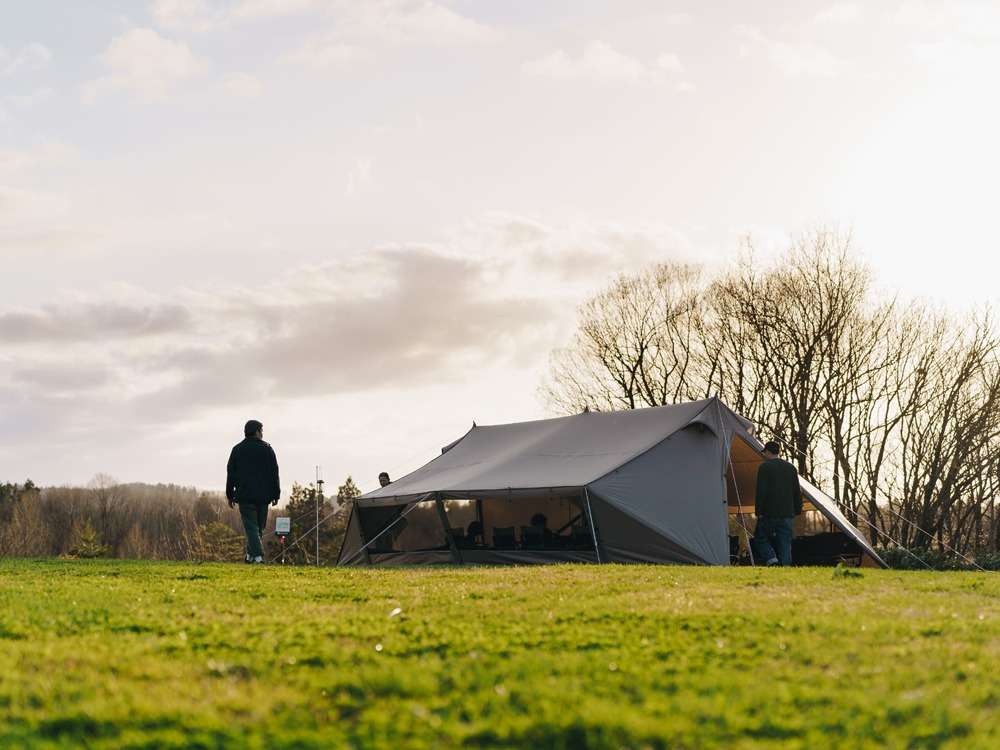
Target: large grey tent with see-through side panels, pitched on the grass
[{"x": 668, "y": 484}]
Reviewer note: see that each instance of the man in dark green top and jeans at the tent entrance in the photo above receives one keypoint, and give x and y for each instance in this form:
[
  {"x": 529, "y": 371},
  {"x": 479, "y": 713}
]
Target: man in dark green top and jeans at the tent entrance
[{"x": 778, "y": 501}]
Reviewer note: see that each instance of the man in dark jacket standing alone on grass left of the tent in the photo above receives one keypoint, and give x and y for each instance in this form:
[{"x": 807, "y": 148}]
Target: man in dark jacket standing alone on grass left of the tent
[{"x": 252, "y": 481}]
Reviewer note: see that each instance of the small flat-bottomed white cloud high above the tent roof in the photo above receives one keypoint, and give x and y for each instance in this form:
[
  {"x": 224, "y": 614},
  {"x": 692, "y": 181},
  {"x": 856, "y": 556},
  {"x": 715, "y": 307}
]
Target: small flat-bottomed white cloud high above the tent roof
[{"x": 601, "y": 63}]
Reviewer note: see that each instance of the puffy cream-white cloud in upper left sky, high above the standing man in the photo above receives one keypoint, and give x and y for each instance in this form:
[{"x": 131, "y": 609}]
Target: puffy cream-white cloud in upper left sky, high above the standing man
[{"x": 146, "y": 65}]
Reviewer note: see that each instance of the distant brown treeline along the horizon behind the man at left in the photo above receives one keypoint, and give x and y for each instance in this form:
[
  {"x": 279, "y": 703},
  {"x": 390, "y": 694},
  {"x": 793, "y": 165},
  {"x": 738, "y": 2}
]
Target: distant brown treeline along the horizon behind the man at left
[{"x": 157, "y": 522}]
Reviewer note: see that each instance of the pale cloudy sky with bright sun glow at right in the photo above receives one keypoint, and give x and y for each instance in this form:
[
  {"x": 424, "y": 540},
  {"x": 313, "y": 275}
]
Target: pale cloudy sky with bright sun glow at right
[{"x": 369, "y": 223}]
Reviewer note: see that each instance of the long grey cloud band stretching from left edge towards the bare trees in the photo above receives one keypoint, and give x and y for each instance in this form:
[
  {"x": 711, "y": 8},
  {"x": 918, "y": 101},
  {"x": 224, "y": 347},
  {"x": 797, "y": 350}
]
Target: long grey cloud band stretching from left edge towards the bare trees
[{"x": 382, "y": 311}]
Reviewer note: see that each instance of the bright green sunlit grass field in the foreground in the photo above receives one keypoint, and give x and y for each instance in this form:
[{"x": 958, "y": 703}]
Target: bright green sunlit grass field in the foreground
[{"x": 110, "y": 654}]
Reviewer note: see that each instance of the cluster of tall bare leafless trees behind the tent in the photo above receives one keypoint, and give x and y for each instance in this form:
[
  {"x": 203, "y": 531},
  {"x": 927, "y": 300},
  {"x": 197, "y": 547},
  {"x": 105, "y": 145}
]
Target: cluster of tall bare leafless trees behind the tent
[{"x": 890, "y": 405}]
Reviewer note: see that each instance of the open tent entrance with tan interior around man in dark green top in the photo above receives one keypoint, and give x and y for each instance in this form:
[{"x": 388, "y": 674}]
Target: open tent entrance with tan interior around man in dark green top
[{"x": 817, "y": 540}]
